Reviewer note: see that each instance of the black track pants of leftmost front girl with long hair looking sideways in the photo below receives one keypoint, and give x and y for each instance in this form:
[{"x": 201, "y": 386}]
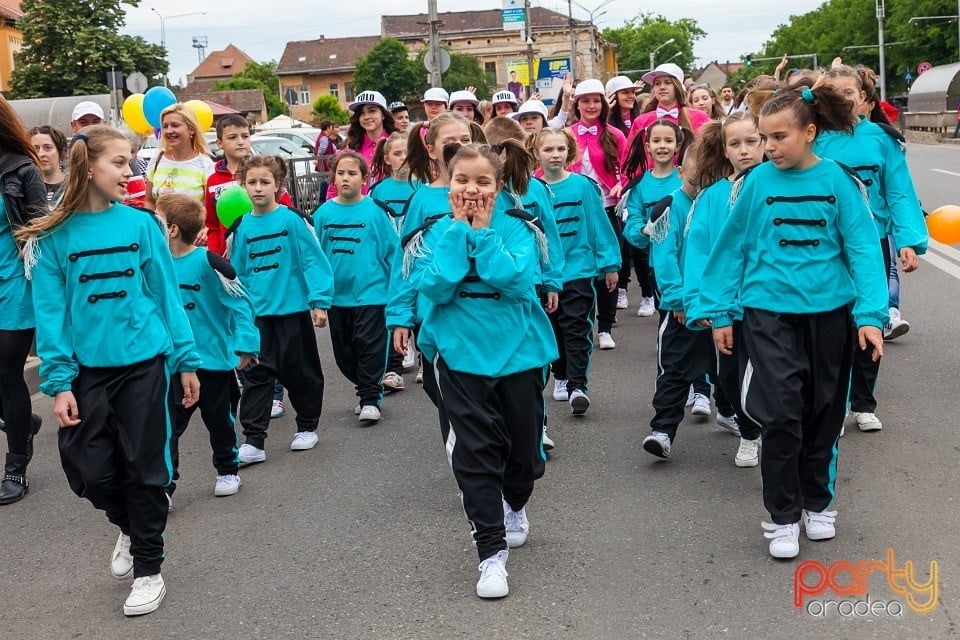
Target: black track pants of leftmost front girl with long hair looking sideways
[{"x": 118, "y": 457}]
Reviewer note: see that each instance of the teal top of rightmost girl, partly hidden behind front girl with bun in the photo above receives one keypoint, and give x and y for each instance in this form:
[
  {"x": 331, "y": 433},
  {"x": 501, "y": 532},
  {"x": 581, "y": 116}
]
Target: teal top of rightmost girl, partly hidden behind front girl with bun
[{"x": 881, "y": 164}]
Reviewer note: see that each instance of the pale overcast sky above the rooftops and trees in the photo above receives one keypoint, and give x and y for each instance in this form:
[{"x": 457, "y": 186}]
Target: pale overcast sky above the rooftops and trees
[{"x": 262, "y": 28}]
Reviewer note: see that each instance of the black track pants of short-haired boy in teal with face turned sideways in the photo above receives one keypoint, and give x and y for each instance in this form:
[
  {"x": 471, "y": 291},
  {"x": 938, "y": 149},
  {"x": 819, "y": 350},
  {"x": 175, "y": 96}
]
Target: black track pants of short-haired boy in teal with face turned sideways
[{"x": 214, "y": 406}]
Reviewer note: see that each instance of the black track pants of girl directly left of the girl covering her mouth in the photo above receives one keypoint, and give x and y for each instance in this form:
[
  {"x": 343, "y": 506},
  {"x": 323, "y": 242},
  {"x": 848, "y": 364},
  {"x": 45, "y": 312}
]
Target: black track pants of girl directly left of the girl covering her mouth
[{"x": 359, "y": 338}]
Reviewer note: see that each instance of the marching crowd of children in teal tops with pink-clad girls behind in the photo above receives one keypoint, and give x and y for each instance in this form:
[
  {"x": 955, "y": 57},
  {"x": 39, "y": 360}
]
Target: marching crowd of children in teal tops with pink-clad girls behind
[{"x": 759, "y": 233}]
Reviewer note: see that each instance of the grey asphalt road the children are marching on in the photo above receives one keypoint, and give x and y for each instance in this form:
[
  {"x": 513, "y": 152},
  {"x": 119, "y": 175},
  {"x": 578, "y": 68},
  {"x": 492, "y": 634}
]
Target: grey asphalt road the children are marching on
[{"x": 363, "y": 537}]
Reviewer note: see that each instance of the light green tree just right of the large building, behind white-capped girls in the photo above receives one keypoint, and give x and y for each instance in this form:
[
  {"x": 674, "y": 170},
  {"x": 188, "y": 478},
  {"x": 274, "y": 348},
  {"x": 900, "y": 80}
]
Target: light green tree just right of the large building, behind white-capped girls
[{"x": 645, "y": 32}]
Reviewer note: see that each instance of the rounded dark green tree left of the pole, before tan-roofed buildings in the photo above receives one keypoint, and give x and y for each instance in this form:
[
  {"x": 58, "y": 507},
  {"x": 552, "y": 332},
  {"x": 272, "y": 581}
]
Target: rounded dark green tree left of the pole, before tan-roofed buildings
[{"x": 387, "y": 68}]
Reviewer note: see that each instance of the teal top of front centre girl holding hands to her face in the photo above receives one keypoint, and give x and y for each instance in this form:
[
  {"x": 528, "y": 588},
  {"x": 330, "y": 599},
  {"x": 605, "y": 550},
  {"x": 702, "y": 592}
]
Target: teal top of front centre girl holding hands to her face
[{"x": 485, "y": 318}]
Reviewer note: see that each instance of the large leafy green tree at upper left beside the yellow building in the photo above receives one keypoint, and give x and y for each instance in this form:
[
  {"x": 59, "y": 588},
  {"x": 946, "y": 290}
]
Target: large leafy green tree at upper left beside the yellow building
[{"x": 70, "y": 45}]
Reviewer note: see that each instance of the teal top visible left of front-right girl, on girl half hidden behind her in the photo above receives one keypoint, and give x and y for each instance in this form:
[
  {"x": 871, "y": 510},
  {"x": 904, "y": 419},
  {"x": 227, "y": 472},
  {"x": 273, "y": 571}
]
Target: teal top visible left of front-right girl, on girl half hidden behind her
[{"x": 710, "y": 210}]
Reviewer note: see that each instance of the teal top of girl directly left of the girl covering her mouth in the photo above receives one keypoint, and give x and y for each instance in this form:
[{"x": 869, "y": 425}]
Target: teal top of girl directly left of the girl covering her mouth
[{"x": 361, "y": 244}]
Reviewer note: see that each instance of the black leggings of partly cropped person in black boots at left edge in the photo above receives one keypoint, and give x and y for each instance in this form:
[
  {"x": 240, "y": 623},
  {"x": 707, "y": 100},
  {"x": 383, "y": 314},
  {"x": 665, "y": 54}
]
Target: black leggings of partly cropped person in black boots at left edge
[{"x": 14, "y": 393}]
